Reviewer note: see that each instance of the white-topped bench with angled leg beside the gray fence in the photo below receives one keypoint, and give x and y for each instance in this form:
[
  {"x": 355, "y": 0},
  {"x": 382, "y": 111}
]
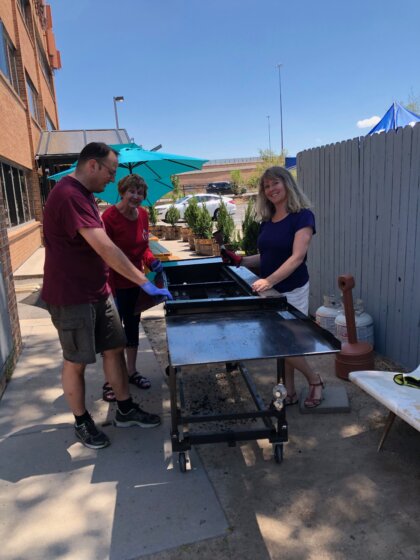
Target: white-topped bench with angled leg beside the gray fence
[{"x": 401, "y": 401}]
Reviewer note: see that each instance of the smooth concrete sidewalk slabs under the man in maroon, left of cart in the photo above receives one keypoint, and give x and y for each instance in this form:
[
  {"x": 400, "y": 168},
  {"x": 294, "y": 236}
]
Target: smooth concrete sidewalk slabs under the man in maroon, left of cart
[{"x": 61, "y": 500}]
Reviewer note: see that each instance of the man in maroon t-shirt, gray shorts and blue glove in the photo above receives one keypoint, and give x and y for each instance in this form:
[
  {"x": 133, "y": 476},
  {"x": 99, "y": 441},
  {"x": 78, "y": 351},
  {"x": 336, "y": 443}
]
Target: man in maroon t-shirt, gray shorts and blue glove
[{"x": 78, "y": 253}]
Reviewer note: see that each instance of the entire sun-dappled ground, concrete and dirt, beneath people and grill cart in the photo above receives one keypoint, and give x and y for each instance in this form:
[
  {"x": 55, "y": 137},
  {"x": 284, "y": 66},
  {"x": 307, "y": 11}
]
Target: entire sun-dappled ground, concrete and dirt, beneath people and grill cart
[{"x": 333, "y": 497}]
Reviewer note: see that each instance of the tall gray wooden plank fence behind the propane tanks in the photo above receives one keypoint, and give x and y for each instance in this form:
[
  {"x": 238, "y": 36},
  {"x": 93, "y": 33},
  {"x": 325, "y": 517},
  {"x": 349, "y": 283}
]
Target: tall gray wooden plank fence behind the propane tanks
[{"x": 366, "y": 197}]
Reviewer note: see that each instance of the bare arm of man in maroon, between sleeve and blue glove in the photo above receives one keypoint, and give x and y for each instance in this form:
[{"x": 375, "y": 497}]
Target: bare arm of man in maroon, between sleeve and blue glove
[{"x": 112, "y": 255}]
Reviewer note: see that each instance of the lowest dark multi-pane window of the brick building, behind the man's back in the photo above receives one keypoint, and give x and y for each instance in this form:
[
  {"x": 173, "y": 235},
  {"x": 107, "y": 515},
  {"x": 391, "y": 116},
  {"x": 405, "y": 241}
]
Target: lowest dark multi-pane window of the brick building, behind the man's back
[{"x": 15, "y": 194}]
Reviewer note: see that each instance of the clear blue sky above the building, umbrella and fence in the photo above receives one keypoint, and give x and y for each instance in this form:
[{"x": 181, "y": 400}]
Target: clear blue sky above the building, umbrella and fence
[{"x": 200, "y": 76}]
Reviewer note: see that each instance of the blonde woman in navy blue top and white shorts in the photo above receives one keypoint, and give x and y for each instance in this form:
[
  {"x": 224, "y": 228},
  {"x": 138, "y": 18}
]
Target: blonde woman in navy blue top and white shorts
[{"x": 285, "y": 235}]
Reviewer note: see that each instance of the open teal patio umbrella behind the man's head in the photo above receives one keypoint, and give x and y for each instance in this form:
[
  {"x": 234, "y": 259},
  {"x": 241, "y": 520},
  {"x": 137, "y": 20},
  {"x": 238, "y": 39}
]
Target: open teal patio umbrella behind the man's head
[{"x": 156, "y": 168}]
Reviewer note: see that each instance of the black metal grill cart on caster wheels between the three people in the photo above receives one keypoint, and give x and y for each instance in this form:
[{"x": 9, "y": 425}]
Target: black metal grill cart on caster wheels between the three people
[{"x": 213, "y": 306}]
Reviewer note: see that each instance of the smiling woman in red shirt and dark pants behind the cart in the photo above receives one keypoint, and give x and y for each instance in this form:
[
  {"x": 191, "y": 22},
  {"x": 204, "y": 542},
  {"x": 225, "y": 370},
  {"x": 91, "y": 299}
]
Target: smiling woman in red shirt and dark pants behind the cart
[{"x": 127, "y": 224}]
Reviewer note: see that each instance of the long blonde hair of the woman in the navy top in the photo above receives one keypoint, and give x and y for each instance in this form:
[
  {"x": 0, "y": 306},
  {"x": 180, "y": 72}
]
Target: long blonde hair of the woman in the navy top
[{"x": 296, "y": 199}]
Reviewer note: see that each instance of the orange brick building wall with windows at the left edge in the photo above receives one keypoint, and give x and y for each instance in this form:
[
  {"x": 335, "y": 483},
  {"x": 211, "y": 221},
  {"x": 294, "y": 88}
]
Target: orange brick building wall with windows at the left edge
[{"x": 28, "y": 58}]
